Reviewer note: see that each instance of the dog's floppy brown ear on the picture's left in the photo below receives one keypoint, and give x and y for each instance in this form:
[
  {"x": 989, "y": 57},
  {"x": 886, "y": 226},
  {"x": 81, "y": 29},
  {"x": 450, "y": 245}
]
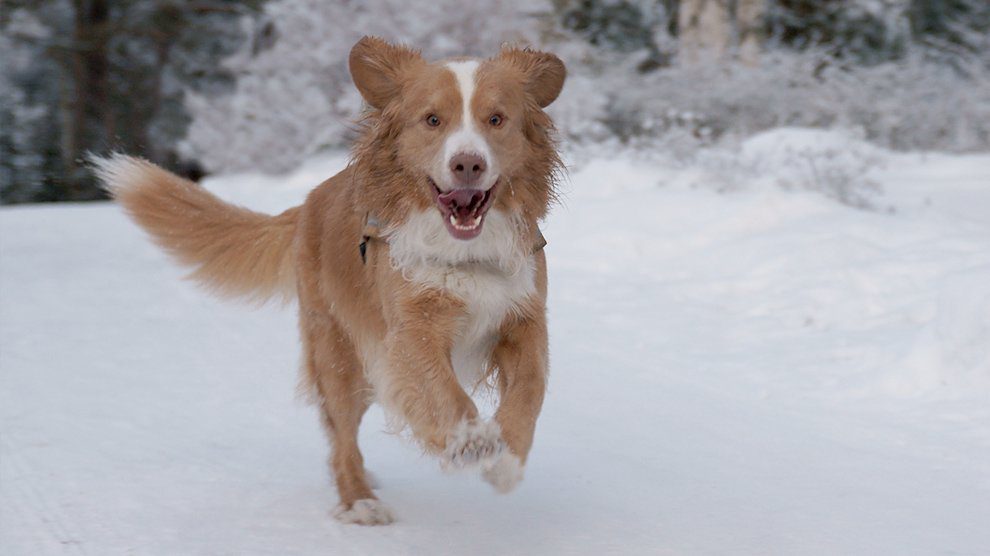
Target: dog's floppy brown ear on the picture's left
[{"x": 378, "y": 67}]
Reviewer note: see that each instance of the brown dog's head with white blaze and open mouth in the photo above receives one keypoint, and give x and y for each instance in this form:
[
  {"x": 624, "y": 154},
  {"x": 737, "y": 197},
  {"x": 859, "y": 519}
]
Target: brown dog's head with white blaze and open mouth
[{"x": 464, "y": 135}]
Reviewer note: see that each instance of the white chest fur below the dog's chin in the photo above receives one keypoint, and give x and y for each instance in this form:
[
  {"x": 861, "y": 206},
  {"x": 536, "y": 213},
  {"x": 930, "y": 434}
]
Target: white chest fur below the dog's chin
[{"x": 492, "y": 274}]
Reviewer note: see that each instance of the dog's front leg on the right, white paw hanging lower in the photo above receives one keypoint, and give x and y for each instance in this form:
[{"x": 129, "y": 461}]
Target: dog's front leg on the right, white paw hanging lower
[{"x": 521, "y": 357}]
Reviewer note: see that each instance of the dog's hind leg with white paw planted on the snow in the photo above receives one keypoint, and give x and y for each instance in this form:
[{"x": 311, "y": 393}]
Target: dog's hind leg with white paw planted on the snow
[{"x": 334, "y": 371}]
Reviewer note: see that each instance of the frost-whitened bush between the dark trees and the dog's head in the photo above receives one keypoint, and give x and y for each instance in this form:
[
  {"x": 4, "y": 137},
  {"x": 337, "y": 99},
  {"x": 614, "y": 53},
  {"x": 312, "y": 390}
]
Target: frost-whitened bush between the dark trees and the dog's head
[{"x": 296, "y": 98}]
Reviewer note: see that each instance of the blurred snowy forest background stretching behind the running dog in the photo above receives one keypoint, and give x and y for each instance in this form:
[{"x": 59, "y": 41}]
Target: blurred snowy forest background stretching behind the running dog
[{"x": 211, "y": 86}]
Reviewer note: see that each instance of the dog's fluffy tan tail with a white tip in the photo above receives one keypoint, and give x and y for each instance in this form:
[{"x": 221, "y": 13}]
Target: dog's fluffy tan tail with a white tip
[{"x": 233, "y": 251}]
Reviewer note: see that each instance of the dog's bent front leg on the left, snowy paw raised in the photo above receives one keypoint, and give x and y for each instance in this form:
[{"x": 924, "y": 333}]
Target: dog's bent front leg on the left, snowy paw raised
[{"x": 421, "y": 386}]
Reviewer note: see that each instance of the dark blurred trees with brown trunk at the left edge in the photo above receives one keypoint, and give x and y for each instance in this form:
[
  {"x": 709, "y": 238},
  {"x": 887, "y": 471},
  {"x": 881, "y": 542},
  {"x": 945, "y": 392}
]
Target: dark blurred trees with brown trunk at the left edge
[{"x": 92, "y": 75}]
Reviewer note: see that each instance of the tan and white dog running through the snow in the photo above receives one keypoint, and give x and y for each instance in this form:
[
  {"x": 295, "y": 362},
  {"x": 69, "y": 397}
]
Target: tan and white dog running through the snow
[{"x": 419, "y": 268}]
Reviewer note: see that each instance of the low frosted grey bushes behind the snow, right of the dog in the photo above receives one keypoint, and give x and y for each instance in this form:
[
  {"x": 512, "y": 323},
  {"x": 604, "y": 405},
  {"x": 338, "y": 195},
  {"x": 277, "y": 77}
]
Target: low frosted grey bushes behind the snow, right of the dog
[{"x": 912, "y": 103}]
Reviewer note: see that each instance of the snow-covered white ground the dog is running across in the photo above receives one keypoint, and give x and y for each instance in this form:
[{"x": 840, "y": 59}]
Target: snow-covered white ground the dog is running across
[{"x": 757, "y": 371}]
